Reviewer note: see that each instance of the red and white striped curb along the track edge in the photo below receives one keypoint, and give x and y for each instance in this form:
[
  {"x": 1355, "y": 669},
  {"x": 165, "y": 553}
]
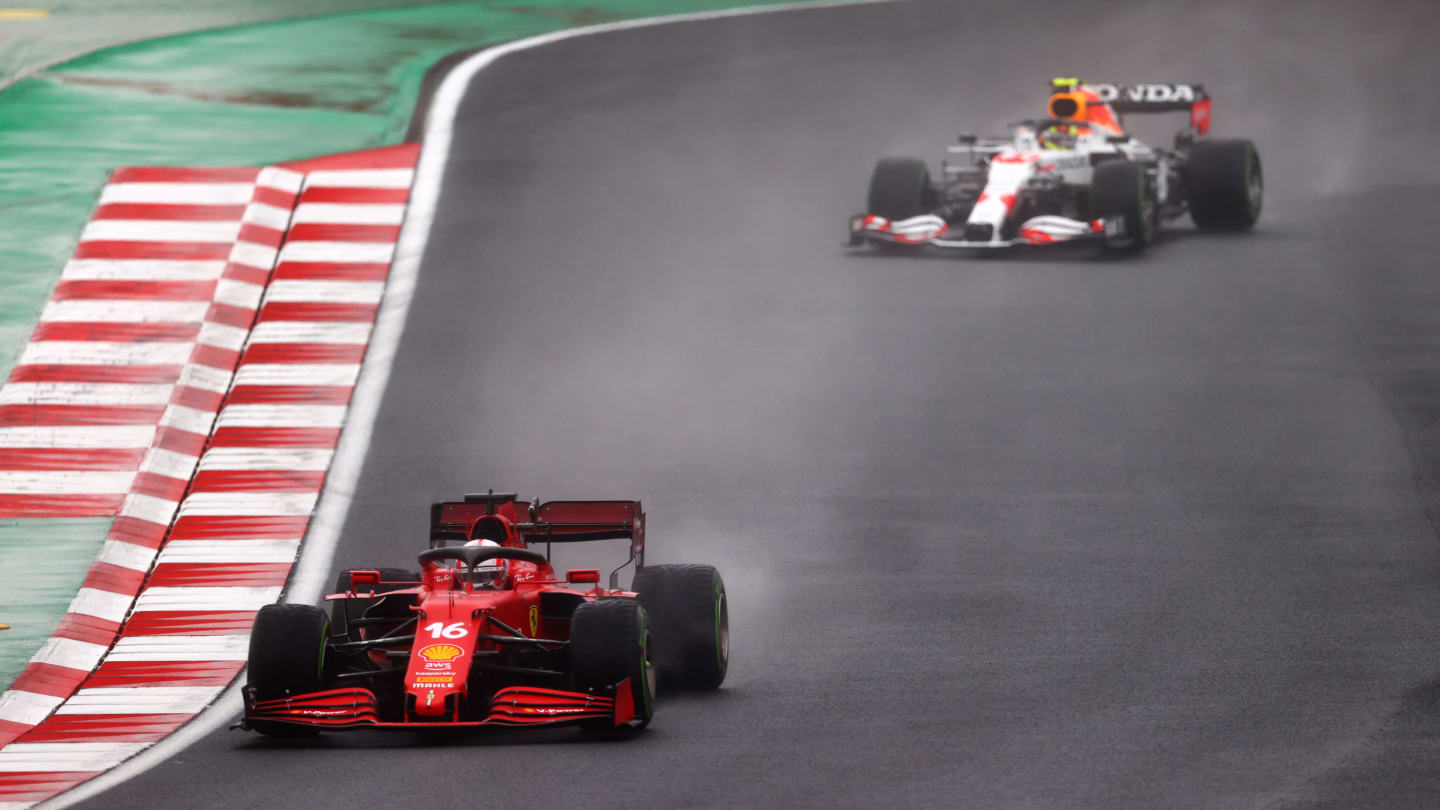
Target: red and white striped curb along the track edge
[{"x": 237, "y": 462}]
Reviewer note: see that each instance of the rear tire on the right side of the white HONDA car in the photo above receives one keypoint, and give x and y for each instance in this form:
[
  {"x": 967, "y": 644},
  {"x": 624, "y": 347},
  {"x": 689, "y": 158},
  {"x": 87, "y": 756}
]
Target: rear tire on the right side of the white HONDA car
[{"x": 1225, "y": 185}]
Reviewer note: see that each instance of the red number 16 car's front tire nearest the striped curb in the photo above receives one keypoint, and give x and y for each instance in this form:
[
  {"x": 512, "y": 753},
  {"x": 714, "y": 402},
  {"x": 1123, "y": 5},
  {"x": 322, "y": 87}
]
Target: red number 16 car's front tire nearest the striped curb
[{"x": 287, "y": 658}]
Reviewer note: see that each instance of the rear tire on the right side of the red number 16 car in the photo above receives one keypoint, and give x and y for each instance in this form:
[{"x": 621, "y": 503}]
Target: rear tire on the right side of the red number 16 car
[{"x": 690, "y": 615}]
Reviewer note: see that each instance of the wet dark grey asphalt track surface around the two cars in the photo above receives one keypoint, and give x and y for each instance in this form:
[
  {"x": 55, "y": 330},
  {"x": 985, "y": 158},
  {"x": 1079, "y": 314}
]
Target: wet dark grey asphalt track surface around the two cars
[{"x": 1030, "y": 531}]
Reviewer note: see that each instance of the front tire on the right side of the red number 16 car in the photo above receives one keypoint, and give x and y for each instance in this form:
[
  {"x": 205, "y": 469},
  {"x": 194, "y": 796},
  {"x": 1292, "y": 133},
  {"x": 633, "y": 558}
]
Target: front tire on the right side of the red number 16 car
[{"x": 610, "y": 642}]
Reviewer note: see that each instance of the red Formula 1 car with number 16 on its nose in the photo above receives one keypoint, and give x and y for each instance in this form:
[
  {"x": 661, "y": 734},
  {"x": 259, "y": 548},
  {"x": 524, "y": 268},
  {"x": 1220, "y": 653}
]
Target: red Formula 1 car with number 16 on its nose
[{"x": 487, "y": 635}]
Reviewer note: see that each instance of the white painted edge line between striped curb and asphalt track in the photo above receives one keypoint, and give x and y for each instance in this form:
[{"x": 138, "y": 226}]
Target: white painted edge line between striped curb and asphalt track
[{"x": 319, "y": 550}]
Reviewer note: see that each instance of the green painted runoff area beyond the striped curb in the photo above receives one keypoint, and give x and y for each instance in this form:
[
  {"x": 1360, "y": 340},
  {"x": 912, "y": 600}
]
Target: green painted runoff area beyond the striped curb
[{"x": 244, "y": 96}]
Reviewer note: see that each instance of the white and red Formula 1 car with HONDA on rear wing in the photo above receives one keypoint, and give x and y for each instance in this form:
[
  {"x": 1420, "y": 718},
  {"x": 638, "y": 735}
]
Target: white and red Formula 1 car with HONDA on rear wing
[{"x": 1076, "y": 175}]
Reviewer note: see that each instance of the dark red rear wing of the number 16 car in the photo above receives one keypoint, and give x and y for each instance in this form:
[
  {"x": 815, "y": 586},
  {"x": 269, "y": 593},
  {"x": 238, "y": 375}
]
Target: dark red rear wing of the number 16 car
[{"x": 552, "y": 522}]
